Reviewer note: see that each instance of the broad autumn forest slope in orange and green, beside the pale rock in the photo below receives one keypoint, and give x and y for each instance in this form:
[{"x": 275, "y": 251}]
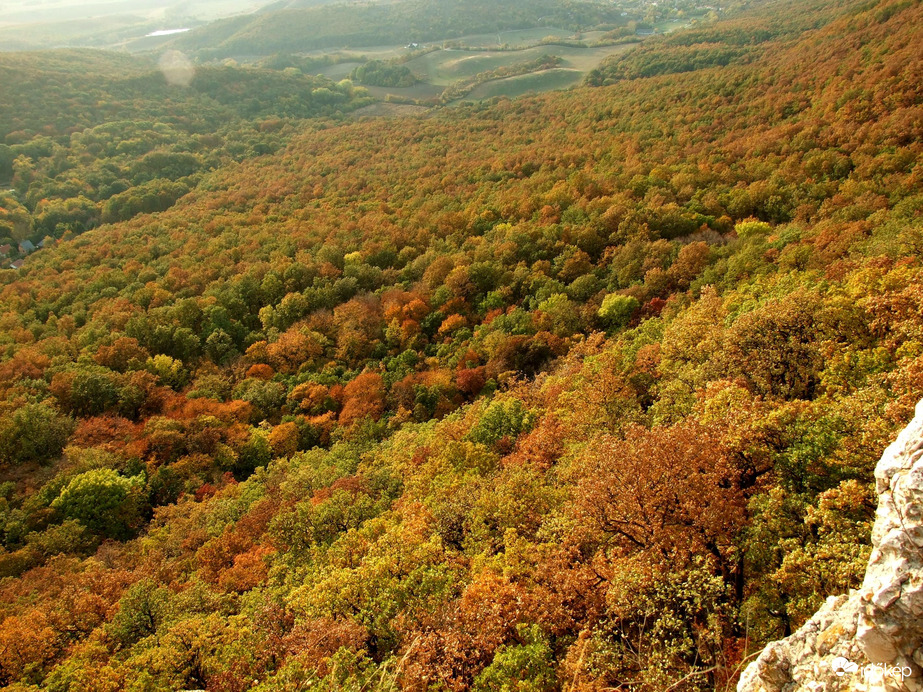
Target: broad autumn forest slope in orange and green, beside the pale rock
[{"x": 575, "y": 392}]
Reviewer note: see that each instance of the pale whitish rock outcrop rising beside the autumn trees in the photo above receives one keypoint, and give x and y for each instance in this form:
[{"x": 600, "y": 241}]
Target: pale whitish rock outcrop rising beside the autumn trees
[{"x": 878, "y": 629}]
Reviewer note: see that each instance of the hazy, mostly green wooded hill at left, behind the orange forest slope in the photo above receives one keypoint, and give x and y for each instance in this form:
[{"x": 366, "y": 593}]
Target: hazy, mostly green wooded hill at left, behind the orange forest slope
[{"x": 92, "y": 137}]
